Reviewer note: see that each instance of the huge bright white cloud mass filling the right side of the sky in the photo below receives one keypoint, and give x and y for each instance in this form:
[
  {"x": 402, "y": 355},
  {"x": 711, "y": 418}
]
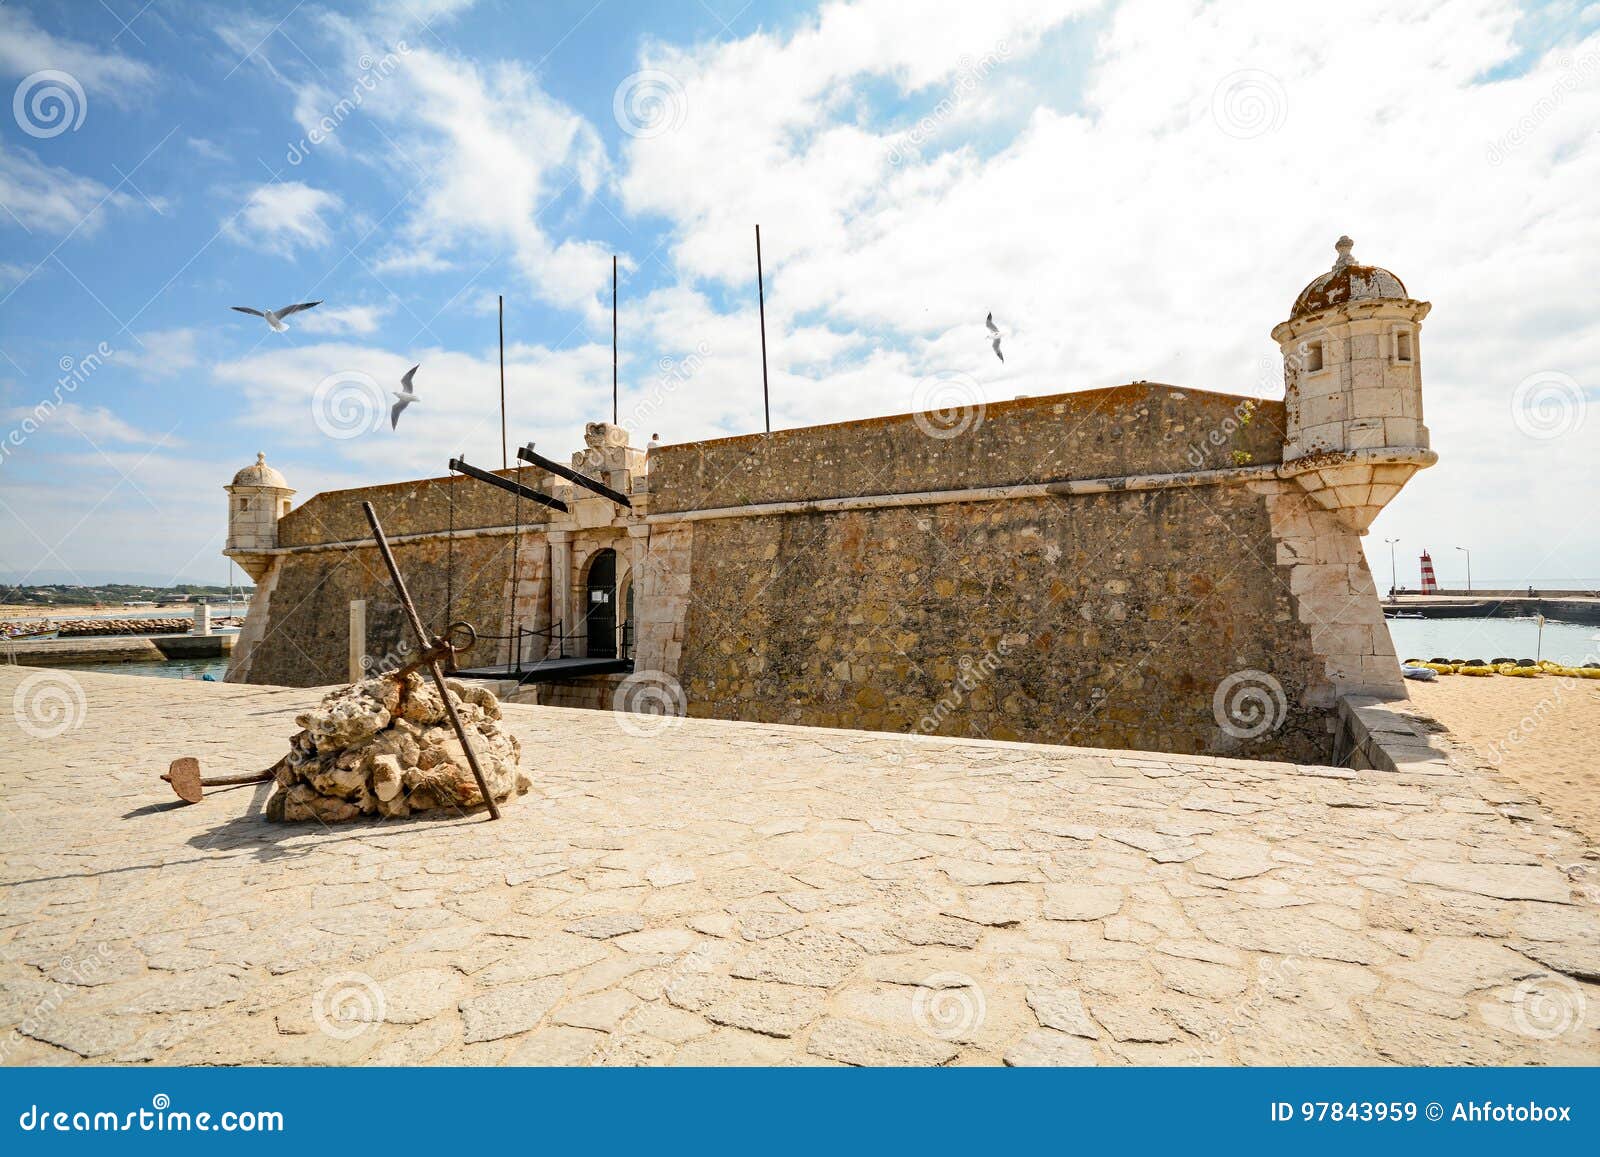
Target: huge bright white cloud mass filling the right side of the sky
[{"x": 1159, "y": 228}]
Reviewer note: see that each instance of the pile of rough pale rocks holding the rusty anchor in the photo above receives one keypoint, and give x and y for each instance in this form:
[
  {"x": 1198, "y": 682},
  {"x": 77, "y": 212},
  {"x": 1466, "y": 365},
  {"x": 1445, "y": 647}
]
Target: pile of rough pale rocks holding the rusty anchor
[{"x": 385, "y": 747}]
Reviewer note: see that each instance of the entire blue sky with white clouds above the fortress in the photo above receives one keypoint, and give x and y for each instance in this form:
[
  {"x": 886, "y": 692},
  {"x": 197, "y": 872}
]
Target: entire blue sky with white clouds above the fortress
[{"x": 1137, "y": 191}]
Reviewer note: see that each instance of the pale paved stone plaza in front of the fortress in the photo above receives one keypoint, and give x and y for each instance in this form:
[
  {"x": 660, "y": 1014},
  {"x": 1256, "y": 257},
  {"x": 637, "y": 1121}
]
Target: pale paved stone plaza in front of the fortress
[{"x": 732, "y": 894}]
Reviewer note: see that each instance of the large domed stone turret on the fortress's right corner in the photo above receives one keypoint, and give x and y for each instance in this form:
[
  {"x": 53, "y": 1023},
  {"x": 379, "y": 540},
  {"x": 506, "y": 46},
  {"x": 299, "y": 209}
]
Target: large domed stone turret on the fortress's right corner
[{"x": 1353, "y": 377}]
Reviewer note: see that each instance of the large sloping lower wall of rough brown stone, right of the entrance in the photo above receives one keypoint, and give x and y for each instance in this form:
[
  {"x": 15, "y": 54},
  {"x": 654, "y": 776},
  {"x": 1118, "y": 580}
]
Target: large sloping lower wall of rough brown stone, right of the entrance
[{"x": 1105, "y": 620}]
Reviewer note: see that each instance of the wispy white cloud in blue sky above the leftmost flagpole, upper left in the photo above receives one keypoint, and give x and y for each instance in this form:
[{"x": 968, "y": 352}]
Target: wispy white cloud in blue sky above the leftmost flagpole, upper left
[{"x": 482, "y": 153}]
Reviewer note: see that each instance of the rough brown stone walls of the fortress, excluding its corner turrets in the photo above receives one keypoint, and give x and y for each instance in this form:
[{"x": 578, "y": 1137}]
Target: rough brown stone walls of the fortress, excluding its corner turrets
[{"x": 1106, "y": 619}]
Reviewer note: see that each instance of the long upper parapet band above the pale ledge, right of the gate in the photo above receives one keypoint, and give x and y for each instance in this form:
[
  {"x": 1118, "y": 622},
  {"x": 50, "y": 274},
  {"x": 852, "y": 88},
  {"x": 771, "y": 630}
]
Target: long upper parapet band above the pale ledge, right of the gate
[{"x": 1094, "y": 434}]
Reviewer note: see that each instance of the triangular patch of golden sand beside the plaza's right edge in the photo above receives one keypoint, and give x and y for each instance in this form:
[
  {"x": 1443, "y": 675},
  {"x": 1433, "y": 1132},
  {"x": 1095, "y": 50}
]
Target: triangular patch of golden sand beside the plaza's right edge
[{"x": 1542, "y": 734}]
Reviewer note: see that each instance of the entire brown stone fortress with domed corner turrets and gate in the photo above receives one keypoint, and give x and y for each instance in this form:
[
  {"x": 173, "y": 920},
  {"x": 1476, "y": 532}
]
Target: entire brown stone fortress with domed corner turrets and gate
[{"x": 1145, "y": 567}]
